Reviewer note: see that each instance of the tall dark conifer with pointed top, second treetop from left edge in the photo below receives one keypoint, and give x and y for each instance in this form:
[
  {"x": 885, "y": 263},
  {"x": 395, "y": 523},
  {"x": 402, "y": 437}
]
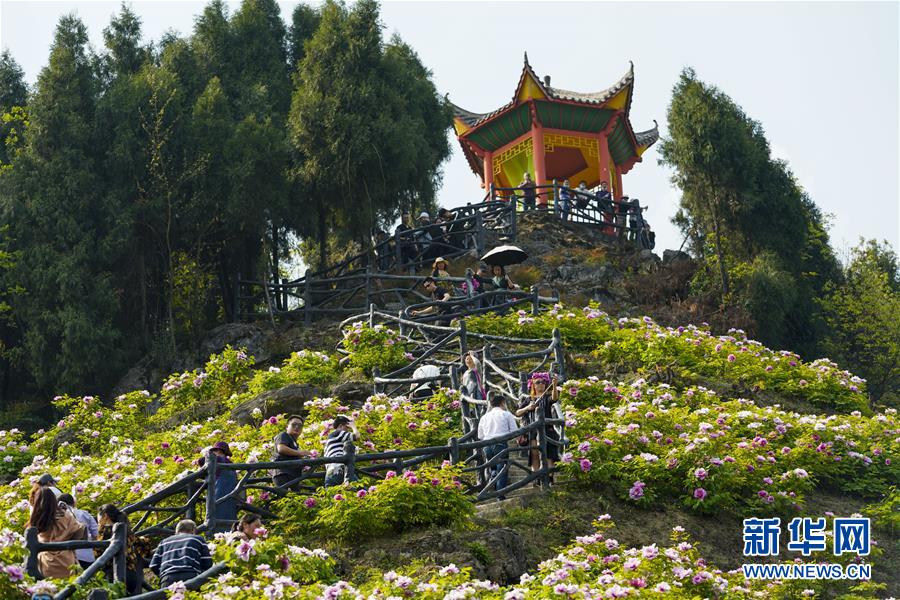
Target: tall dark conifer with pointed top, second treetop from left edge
[{"x": 60, "y": 227}]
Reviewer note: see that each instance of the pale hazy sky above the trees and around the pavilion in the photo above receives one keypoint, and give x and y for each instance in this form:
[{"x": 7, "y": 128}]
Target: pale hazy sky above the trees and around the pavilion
[{"x": 821, "y": 77}]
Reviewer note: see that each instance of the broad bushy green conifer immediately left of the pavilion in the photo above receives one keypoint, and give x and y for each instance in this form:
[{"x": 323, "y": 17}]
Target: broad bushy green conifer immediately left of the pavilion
[{"x": 362, "y": 122}]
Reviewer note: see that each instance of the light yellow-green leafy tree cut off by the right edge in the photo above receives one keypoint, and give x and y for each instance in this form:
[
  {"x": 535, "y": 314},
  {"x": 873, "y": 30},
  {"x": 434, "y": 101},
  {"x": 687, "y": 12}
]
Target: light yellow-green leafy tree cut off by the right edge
[{"x": 863, "y": 317}]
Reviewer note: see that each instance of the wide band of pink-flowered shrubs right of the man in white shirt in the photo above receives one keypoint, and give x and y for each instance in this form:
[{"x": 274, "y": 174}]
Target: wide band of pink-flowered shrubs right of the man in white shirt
[{"x": 654, "y": 443}]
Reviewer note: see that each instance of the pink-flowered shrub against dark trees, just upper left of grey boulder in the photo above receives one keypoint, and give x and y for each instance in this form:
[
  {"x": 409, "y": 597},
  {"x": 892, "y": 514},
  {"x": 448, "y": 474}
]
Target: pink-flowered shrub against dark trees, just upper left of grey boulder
[{"x": 223, "y": 375}]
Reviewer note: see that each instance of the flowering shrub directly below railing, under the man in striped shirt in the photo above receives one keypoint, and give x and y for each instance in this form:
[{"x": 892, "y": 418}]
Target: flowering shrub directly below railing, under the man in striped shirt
[{"x": 402, "y": 501}]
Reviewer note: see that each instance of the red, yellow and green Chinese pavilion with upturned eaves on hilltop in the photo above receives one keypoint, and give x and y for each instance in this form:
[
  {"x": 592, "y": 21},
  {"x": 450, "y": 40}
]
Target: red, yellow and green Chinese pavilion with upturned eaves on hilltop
[{"x": 555, "y": 134}]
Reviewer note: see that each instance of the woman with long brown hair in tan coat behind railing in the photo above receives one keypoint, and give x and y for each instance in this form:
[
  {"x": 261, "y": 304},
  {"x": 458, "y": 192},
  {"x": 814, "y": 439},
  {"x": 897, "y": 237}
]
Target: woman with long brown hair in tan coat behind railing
[{"x": 55, "y": 523}]
